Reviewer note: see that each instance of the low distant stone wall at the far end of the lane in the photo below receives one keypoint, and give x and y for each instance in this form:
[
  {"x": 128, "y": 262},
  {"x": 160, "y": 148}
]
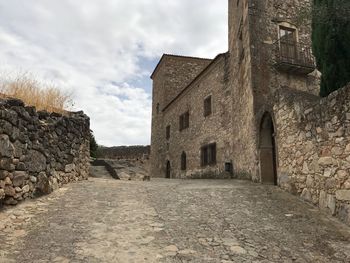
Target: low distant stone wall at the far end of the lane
[{"x": 124, "y": 152}]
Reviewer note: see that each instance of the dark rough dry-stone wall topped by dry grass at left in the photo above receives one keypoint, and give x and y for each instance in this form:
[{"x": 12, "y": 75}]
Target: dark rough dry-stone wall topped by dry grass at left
[{"x": 39, "y": 151}]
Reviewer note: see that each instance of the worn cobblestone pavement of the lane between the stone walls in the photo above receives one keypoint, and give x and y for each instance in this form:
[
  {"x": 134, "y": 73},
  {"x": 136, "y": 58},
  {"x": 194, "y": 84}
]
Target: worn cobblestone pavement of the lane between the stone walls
[{"x": 105, "y": 220}]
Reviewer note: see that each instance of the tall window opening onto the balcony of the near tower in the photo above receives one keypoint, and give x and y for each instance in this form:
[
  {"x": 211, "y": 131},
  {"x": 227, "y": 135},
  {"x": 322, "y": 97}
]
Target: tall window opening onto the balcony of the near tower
[{"x": 288, "y": 42}]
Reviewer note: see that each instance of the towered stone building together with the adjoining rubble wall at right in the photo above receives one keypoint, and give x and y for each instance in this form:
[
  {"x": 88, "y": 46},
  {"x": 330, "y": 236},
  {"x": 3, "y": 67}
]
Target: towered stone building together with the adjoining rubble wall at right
[{"x": 254, "y": 111}]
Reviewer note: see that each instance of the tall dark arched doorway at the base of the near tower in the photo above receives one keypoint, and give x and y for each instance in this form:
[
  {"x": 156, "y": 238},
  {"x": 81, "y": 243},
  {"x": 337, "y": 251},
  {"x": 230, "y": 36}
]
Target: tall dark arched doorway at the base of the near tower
[{"x": 267, "y": 151}]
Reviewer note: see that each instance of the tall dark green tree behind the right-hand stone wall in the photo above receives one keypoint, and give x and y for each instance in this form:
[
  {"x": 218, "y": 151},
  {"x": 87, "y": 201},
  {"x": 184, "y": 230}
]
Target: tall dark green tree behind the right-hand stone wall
[{"x": 331, "y": 43}]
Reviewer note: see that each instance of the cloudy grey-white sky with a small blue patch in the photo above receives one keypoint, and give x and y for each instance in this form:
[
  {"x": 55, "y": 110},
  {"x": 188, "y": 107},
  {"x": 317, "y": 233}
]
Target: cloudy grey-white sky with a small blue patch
[{"x": 103, "y": 52}]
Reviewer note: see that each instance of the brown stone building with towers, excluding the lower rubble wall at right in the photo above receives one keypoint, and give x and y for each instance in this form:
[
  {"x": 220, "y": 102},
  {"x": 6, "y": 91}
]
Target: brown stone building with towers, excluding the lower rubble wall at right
[{"x": 267, "y": 51}]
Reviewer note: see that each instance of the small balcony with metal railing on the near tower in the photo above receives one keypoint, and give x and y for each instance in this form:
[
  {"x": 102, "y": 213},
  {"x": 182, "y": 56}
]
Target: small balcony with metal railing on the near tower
[{"x": 295, "y": 58}]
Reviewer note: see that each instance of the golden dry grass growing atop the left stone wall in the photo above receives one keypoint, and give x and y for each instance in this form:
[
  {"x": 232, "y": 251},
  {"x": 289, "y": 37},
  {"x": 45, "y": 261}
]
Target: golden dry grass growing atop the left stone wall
[{"x": 35, "y": 93}]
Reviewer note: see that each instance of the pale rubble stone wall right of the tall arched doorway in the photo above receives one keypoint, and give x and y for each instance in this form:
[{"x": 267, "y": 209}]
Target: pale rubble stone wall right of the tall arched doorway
[{"x": 313, "y": 142}]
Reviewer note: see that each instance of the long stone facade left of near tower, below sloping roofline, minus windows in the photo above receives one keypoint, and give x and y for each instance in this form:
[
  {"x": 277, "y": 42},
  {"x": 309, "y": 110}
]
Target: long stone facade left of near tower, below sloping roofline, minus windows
[{"x": 215, "y": 128}]
